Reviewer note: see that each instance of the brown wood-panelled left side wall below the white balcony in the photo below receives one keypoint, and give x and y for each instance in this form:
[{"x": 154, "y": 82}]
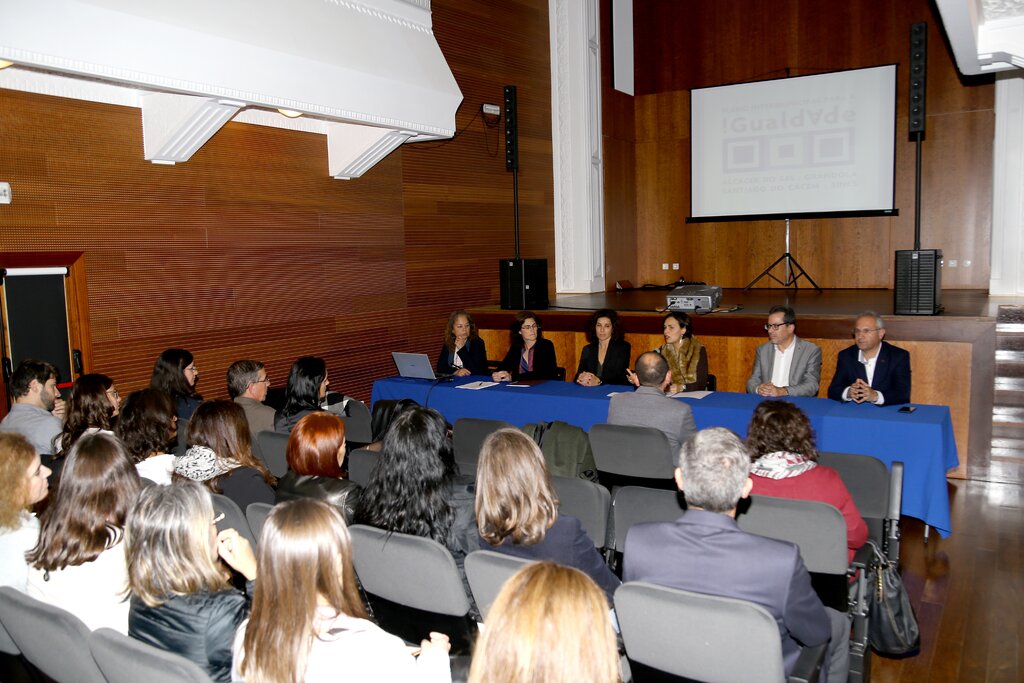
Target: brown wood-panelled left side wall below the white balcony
[{"x": 251, "y": 250}]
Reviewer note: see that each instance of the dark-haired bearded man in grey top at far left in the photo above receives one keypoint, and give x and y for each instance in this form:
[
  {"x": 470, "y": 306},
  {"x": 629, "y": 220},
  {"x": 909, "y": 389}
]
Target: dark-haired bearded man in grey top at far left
[{"x": 38, "y": 411}]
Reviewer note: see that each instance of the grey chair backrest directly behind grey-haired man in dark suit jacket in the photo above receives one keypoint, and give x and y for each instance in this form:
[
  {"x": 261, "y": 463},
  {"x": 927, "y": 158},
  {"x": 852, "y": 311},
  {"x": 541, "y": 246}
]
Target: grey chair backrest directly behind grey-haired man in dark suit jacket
[{"x": 699, "y": 636}]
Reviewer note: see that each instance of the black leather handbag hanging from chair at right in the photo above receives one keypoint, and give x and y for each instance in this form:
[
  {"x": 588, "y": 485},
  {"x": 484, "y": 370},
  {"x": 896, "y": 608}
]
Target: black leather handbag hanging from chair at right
[{"x": 892, "y": 626}]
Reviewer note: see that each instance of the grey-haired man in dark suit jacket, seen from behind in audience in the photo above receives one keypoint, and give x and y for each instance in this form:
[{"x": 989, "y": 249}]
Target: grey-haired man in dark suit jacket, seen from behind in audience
[{"x": 706, "y": 552}]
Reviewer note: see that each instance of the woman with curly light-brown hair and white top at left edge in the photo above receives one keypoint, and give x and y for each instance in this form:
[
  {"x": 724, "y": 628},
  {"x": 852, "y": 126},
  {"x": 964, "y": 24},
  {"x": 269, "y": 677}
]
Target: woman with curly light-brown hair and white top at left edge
[{"x": 25, "y": 485}]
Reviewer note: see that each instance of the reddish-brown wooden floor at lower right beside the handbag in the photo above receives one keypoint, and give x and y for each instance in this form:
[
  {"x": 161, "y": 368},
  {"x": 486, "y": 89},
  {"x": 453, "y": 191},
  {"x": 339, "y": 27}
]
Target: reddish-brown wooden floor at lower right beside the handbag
[{"x": 968, "y": 591}]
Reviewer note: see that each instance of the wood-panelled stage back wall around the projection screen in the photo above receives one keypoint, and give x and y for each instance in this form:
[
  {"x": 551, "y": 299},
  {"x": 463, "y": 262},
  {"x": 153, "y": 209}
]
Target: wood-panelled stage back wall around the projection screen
[{"x": 685, "y": 46}]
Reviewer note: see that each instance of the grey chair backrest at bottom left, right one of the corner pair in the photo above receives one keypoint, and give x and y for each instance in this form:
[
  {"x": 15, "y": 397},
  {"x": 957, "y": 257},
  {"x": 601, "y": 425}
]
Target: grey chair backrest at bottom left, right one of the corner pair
[{"x": 124, "y": 660}]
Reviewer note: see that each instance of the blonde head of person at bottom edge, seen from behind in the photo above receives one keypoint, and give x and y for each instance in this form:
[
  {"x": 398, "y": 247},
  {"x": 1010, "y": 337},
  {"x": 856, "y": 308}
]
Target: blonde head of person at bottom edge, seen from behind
[{"x": 549, "y": 623}]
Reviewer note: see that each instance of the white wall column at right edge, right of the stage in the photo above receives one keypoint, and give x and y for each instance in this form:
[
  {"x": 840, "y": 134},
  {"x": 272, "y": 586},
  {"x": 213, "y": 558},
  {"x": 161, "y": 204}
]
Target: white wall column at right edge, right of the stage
[{"x": 1008, "y": 188}]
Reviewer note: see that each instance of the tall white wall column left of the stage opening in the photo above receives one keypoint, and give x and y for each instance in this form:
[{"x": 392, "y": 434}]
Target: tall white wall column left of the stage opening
[{"x": 576, "y": 139}]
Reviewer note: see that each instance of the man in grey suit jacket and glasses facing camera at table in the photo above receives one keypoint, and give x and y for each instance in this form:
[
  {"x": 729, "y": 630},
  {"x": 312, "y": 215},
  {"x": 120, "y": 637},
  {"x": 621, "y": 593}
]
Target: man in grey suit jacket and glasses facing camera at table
[{"x": 786, "y": 366}]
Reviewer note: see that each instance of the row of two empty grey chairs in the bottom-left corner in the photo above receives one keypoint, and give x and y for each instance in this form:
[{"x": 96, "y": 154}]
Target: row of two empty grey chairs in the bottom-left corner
[{"x": 62, "y": 648}]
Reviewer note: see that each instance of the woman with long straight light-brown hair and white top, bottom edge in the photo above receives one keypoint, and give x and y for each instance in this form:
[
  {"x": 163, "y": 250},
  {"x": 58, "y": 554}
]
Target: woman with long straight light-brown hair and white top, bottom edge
[{"x": 309, "y": 623}]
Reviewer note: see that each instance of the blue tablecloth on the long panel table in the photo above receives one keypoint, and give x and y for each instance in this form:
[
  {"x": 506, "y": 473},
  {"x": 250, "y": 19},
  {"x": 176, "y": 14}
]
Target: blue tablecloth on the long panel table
[{"x": 923, "y": 441}]
